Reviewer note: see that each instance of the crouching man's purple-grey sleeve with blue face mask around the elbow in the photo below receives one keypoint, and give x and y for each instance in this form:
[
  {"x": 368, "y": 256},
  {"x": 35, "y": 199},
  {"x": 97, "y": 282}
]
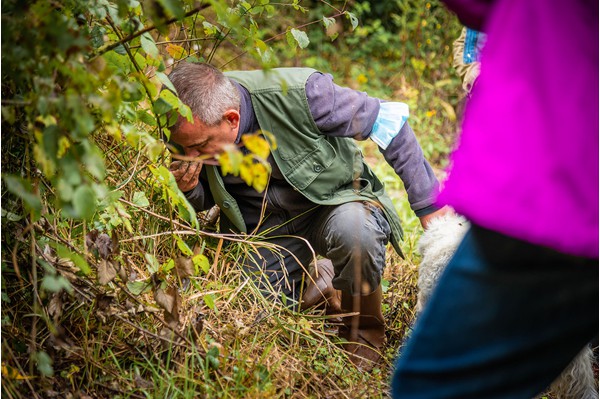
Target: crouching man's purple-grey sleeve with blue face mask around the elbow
[{"x": 343, "y": 112}]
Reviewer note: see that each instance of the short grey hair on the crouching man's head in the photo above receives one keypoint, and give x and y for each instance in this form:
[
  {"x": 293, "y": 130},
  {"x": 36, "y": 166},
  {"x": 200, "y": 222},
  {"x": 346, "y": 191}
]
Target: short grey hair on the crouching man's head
[{"x": 205, "y": 90}]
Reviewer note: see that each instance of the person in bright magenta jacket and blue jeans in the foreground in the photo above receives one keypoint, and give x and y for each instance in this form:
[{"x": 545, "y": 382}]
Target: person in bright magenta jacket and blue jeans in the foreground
[{"x": 519, "y": 299}]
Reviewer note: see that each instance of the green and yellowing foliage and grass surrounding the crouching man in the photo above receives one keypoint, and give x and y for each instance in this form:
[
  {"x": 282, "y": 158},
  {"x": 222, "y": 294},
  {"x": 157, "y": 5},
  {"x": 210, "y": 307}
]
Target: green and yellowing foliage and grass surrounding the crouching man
[{"x": 111, "y": 285}]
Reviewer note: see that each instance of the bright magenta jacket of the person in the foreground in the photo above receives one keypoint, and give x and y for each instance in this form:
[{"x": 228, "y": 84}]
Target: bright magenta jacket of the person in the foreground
[{"x": 527, "y": 162}]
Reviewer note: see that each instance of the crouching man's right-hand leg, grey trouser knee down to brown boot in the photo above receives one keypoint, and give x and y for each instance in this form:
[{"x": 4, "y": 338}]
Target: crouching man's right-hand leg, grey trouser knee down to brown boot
[{"x": 354, "y": 236}]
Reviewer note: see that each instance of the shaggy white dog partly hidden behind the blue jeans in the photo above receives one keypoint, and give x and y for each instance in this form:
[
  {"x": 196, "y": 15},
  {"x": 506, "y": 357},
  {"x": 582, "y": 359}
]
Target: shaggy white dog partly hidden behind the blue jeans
[{"x": 437, "y": 246}]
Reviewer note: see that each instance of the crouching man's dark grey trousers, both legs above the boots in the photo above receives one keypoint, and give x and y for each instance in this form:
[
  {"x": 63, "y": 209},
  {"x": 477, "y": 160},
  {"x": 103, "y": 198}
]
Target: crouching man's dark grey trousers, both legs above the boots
[{"x": 353, "y": 236}]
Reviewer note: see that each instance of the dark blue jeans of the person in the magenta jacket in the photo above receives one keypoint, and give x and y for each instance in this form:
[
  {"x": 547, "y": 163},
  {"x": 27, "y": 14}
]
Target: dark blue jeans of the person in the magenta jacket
[{"x": 506, "y": 318}]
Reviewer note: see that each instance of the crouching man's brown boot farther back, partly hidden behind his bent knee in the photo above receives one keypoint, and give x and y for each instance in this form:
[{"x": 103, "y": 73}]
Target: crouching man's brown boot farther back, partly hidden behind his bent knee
[{"x": 319, "y": 291}]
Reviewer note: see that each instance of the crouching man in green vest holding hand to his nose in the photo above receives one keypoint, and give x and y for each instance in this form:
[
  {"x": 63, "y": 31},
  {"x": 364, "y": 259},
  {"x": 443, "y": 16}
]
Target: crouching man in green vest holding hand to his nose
[{"x": 320, "y": 193}]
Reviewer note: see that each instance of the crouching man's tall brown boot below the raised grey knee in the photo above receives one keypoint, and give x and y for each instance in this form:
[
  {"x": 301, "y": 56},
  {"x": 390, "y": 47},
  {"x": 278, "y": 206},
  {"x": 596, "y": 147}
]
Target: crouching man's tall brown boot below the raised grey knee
[{"x": 365, "y": 331}]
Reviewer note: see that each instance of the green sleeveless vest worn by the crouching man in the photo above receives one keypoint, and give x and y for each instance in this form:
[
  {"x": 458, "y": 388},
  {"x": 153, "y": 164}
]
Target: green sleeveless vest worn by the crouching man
[{"x": 326, "y": 170}]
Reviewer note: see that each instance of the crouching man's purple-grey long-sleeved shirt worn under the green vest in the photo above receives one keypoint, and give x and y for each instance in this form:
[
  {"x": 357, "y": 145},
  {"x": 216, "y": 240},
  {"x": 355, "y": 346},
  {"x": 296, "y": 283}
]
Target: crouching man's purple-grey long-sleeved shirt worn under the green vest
[{"x": 338, "y": 112}]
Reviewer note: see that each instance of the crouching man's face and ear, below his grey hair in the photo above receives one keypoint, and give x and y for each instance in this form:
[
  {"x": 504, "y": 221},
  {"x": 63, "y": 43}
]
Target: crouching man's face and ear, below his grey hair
[{"x": 198, "y": 139}]
